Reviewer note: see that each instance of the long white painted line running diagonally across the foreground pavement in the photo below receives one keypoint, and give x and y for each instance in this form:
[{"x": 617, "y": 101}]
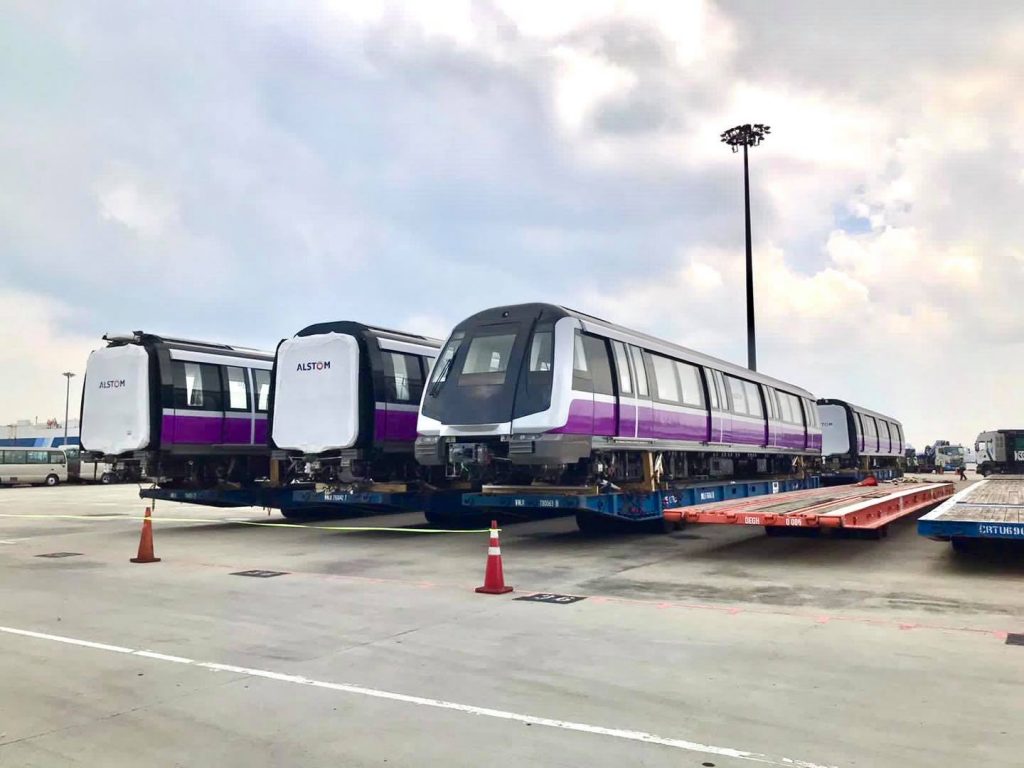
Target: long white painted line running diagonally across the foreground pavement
[{"x": 629, "y": 736}]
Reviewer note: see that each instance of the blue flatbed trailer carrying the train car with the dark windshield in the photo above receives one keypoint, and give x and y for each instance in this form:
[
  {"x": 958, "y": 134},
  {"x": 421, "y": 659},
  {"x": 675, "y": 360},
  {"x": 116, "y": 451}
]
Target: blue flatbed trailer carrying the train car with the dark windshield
[{"x": 592, "y": 506}]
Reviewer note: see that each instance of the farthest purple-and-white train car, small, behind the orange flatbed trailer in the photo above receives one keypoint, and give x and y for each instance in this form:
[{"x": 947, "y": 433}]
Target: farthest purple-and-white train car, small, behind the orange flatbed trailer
[{"x": 855, "y": 438}]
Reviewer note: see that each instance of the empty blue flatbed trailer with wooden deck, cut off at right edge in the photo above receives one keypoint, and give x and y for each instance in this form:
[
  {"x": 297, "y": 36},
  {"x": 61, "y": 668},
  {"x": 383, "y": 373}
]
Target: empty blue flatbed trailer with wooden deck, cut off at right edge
[{"x": 993, "y": 508}]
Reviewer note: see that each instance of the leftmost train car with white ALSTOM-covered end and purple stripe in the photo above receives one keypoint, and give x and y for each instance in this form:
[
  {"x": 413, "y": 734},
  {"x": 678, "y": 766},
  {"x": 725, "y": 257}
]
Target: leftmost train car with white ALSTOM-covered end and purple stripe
[{"x": 193, "y": 414}]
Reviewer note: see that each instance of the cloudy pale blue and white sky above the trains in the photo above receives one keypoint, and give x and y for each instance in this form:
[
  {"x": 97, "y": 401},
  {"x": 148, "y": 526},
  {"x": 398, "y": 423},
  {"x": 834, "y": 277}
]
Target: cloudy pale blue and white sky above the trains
[{"x": 236, "y": 172}]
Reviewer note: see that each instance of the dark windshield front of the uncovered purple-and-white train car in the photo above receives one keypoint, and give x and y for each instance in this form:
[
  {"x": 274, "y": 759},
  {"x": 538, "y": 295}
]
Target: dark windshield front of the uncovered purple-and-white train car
[{"x": 492, "y": 373}]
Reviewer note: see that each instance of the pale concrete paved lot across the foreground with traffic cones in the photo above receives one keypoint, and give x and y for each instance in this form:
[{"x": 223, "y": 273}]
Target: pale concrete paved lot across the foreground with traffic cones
[{"x": 708, "y": 647}]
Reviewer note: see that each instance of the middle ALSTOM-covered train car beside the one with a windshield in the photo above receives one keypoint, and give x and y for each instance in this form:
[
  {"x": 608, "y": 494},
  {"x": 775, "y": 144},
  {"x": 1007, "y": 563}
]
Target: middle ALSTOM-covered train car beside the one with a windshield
[{"x": 345, "y": 402}]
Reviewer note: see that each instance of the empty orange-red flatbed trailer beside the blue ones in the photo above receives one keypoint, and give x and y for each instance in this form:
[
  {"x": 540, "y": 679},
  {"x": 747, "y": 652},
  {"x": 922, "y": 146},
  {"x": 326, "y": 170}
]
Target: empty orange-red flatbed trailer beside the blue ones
[{"x": 869, "y": 508}]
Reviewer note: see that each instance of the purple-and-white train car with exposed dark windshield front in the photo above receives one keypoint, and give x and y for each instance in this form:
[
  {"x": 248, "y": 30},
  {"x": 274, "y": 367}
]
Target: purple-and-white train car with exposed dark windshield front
[{"x": 541, "y": 393}]
